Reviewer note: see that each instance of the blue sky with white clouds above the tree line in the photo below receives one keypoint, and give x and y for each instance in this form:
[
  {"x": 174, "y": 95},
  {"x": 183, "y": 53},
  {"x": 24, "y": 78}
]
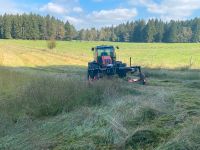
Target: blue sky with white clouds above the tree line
[{"x": 101, "y": 13}]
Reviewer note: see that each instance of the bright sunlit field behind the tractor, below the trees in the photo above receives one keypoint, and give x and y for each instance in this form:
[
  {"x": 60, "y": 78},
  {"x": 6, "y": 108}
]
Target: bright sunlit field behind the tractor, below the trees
[{"x": 35, "y": 53}]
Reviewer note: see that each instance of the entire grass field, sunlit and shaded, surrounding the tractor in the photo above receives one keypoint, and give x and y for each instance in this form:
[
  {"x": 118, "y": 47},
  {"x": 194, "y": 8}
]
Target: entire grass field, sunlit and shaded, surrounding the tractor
[{"x": 46, "y": 102}]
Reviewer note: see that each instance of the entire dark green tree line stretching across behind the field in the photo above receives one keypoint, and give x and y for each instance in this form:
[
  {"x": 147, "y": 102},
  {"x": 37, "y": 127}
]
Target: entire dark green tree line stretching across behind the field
[{"x": 32, "y": 26}]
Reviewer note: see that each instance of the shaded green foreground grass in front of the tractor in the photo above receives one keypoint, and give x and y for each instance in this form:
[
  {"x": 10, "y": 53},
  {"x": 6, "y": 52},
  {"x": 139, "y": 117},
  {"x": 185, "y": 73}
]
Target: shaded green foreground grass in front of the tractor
[{"x": 115, "y": 116}]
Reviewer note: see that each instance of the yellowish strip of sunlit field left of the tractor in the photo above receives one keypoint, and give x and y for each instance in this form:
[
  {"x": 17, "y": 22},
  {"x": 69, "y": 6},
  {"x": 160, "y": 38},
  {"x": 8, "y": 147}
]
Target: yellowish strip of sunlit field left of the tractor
[{"x": 15, "y": 55}]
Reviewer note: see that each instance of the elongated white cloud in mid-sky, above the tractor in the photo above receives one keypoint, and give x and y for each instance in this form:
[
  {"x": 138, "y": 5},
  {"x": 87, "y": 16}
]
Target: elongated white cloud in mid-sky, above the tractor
[{"x": 119, "y": 14}]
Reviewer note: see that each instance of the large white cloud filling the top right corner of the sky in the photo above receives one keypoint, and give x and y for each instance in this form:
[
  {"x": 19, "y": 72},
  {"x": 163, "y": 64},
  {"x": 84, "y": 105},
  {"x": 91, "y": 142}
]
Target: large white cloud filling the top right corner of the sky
[{"x": 171, "y": 9}]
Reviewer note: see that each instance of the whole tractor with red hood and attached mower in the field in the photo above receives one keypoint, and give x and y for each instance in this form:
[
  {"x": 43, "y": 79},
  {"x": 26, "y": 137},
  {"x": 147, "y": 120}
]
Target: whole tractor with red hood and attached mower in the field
[{"x": 105, "y": 64}]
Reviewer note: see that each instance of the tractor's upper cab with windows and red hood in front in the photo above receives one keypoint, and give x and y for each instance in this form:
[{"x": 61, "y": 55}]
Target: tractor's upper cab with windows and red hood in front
[{"x": 104, "y": 55}]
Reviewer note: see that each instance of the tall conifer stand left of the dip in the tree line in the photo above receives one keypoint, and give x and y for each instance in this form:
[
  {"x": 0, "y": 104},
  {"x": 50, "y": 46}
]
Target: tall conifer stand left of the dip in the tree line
[{"x": 34, "y": 27}]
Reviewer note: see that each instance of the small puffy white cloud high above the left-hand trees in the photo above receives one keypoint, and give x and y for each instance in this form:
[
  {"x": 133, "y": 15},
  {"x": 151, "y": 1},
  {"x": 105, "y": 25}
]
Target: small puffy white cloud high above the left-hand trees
[{"x": 53, "y": 8}]
